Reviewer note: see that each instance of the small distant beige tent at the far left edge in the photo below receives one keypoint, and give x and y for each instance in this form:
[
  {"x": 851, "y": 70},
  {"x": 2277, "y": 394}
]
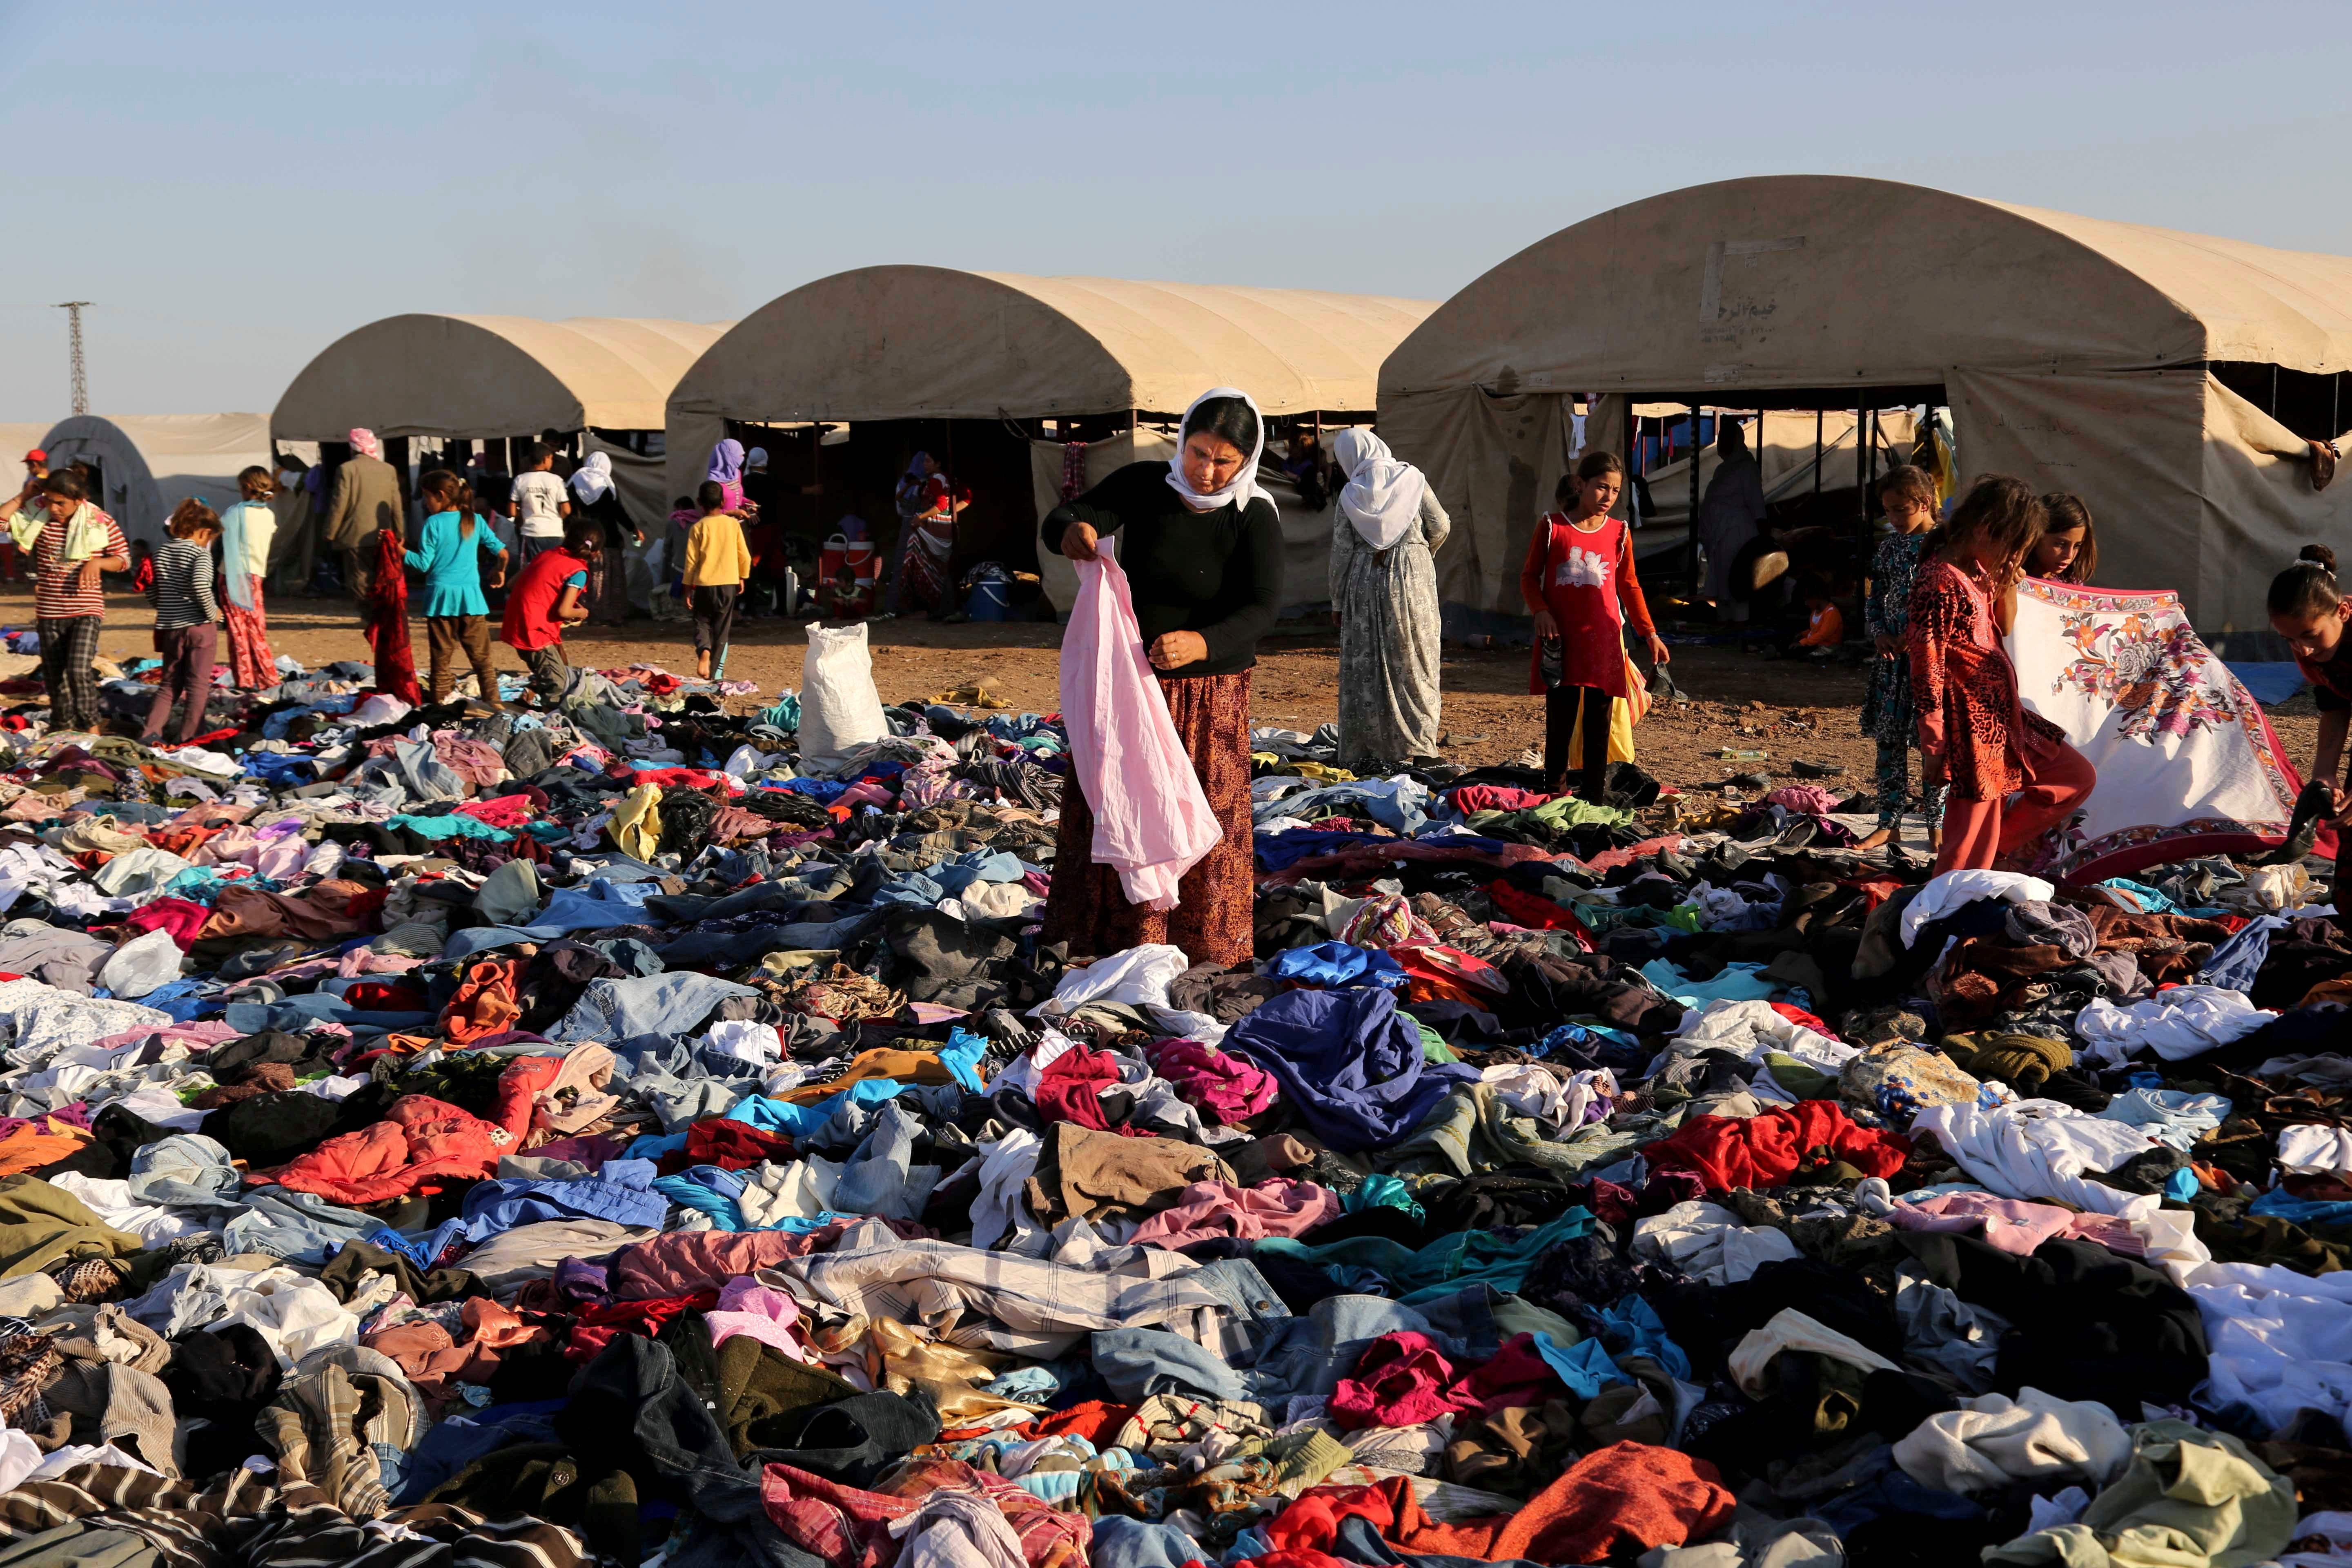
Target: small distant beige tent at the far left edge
[{"x": 154, "y": 462}]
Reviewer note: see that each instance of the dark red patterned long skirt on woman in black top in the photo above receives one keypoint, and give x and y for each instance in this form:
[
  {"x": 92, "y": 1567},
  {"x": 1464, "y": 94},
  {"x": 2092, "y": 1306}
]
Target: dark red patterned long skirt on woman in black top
[{"x": 1212, "y": 918}]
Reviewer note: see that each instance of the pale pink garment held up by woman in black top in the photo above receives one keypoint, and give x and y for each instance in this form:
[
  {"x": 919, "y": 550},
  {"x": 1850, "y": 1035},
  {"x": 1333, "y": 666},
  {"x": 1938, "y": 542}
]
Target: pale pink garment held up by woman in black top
[{"x": 1151, "y": 817}]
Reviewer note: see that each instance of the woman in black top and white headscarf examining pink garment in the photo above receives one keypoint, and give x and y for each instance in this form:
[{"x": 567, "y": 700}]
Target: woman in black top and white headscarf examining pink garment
[{"x": 1201, "y": 544}]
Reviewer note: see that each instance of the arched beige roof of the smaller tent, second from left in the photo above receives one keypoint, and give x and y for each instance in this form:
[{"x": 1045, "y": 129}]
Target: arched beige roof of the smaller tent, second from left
[{"x": 481, "y": 377}]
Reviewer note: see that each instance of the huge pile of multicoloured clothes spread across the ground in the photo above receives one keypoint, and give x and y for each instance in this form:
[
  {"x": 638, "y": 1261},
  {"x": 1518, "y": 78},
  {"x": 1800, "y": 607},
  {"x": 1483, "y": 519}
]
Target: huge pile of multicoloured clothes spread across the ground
[{"x": 617, "y": 1134}]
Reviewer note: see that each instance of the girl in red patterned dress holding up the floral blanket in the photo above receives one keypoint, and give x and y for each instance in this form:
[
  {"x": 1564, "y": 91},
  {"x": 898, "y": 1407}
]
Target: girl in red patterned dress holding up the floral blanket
[{"x": 2012, "y": 772}]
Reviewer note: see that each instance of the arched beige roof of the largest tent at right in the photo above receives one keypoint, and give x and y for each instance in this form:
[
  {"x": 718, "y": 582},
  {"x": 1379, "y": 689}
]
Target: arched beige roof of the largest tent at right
[{"x": 1836, "y": 283}]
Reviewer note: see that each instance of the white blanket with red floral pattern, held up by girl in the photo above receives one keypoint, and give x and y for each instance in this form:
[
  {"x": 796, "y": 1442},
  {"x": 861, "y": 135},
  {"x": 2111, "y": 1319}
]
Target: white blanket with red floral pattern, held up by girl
[{"x": 2186, "y": 758}]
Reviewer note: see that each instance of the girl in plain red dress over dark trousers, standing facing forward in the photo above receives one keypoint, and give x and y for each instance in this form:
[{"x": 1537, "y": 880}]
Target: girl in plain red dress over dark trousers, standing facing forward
[{"x": 1582, "y": 589}]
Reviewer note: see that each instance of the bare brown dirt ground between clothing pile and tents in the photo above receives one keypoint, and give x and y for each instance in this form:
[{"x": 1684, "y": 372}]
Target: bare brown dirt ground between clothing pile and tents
[{"x": 1735, "y": 699}]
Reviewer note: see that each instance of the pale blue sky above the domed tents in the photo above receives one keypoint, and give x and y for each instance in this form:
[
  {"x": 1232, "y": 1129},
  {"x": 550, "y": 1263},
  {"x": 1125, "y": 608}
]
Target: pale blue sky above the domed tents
[{"x": 246, "y": 182}]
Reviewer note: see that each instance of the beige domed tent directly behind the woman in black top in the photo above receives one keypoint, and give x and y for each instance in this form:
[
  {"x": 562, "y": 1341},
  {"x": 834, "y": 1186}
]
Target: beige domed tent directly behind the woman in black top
[{"x": 940, "y": 344}]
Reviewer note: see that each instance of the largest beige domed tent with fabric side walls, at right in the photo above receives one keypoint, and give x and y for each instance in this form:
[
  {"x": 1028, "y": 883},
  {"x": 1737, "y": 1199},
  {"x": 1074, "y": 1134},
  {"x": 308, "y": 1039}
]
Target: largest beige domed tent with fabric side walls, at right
[{"x": 2076, "y": 354}]
